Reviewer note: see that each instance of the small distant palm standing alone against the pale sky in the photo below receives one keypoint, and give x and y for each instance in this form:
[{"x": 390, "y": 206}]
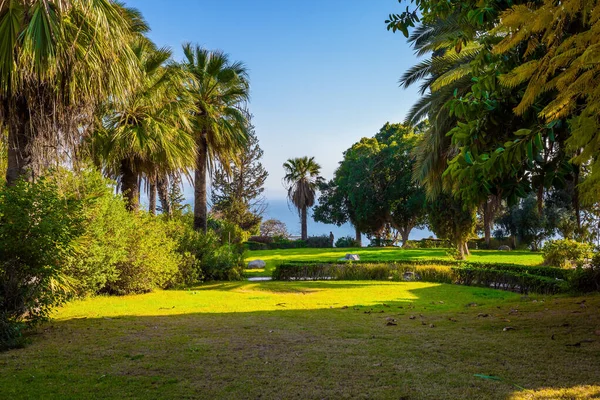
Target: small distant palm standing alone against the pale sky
[{"x": 302, "y": 180}]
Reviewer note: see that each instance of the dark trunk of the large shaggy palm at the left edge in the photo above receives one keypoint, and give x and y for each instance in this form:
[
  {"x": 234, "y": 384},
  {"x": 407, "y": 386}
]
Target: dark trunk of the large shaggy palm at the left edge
[{"x": 20, "y": 159}]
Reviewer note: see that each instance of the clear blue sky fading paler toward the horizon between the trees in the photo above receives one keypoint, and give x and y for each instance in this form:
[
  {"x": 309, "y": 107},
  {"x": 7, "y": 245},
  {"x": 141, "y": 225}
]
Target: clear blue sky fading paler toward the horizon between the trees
[{"x": 323, "y": 73}]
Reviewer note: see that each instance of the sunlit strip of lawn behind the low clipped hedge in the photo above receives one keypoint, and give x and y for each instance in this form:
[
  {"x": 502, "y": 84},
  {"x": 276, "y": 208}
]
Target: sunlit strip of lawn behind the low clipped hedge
[{"x": 273, "y": 257}]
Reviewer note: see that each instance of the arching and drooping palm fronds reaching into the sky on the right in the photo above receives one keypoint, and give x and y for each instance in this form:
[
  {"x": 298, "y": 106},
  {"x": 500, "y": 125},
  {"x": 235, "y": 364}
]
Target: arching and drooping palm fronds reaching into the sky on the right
[{"x": 444, "y": 75}]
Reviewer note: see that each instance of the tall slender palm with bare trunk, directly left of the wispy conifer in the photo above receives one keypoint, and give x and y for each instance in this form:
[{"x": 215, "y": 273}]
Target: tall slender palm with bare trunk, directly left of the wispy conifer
[{"x": 221, "y": 125}]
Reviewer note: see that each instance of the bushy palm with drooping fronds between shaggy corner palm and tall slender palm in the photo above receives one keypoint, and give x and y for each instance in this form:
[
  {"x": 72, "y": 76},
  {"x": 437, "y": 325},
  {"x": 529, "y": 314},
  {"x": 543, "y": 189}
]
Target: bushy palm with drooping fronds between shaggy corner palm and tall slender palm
[{"x": 150, "y": 134}]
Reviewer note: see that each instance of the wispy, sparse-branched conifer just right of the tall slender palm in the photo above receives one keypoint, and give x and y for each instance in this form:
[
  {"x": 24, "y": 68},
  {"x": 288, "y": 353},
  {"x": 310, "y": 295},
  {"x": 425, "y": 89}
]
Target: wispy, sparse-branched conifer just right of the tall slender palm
[{"x": 238, "y": 195}]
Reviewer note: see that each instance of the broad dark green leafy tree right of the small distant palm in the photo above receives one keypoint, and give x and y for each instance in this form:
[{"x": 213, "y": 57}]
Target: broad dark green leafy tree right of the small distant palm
[{"x": 373, "y": 189}]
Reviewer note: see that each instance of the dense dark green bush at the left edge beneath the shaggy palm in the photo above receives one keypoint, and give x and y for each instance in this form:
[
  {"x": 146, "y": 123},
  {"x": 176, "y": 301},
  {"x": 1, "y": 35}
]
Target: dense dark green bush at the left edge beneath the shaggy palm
[{"x": 38, "y": 227}]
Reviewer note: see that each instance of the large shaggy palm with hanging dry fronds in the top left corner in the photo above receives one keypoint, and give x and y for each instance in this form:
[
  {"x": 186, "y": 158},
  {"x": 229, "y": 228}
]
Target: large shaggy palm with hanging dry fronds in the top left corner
[{"x": 58, "y": 60}]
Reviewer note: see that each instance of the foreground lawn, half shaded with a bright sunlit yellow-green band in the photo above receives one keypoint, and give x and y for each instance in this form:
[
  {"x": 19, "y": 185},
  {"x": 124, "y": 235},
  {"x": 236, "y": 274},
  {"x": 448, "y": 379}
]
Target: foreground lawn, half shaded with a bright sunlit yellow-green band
[{"x": 313, "y": 340}]
